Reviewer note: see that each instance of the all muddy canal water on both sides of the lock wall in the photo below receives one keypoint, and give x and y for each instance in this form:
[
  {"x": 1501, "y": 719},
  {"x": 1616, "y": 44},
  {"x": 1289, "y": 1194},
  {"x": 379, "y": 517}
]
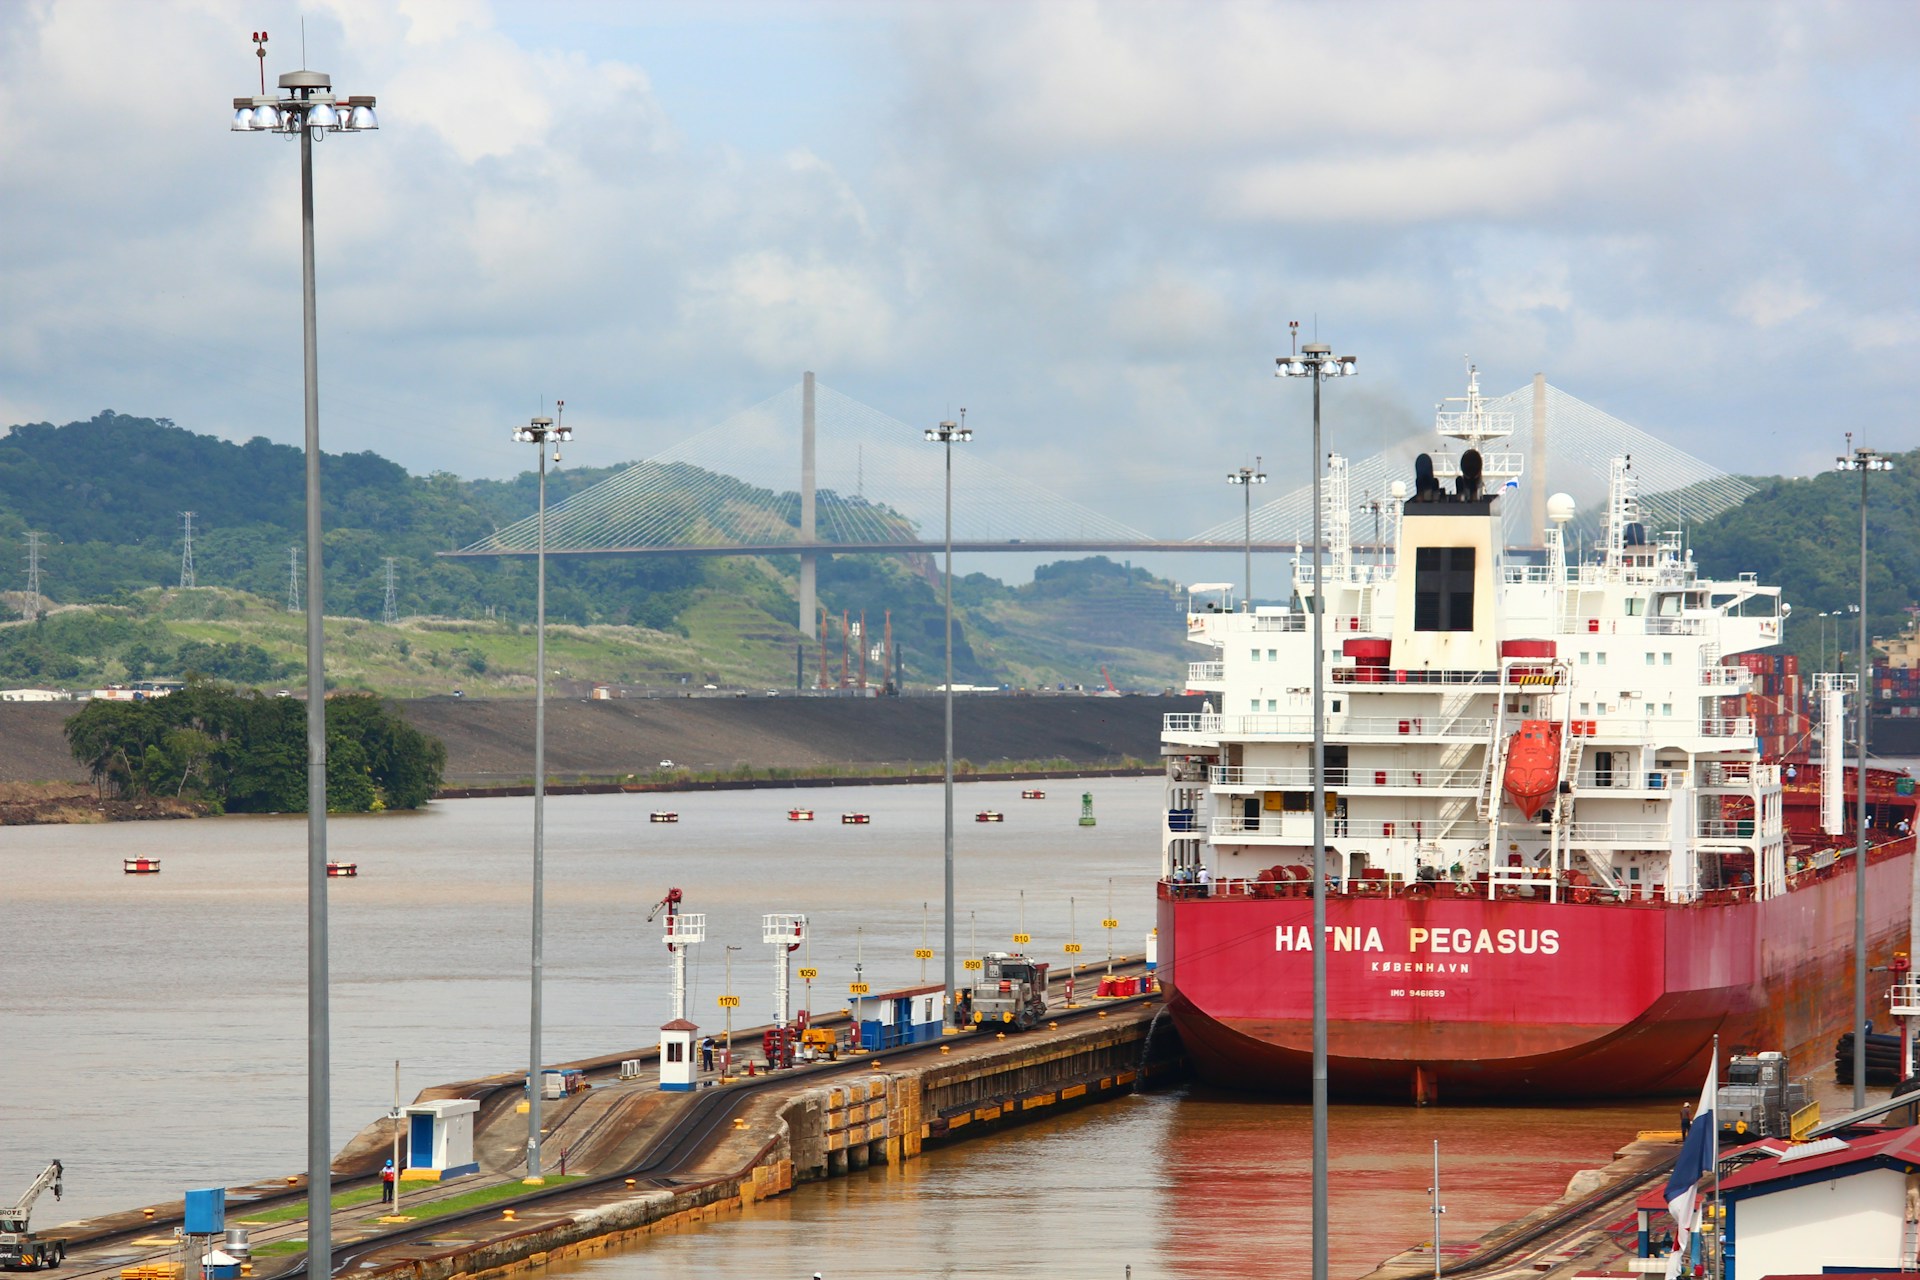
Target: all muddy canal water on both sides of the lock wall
[{"x": 153, "y": 1030}]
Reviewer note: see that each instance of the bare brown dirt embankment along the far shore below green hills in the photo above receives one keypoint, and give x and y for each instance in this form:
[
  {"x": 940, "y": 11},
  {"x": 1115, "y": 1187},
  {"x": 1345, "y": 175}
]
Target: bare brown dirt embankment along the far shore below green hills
[{"x": 492, "y": 740}]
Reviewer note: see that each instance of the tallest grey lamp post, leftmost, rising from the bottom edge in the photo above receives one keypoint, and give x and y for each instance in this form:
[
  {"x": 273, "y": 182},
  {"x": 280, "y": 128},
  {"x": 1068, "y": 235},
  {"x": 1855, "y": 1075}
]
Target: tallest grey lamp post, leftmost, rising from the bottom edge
[{"x": 308, "y": 108}]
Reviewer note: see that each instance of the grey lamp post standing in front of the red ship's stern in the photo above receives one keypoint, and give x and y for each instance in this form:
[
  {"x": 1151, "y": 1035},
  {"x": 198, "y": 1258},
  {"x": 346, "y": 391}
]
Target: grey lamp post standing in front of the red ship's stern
[{"x": 1320, "y": 364}]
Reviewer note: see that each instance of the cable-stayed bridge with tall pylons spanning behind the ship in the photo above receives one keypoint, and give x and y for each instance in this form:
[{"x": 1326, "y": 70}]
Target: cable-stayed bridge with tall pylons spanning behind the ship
[{"x": 817, "y": 473}]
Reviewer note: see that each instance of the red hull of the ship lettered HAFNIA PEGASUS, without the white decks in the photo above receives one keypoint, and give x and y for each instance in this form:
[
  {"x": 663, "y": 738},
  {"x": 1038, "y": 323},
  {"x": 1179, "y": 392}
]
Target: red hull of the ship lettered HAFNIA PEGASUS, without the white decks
[{"x": 1516, "y": 1001}]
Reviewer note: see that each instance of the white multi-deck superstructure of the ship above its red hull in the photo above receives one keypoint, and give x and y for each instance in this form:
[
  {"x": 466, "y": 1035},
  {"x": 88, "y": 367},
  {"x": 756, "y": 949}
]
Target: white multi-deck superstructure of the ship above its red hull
[{"x": 1435, "y": 655}]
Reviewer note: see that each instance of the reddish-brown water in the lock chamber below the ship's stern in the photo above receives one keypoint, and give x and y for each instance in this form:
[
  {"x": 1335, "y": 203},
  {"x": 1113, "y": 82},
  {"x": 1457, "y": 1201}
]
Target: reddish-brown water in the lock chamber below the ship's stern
[{"x": 1172, "y": 1185}]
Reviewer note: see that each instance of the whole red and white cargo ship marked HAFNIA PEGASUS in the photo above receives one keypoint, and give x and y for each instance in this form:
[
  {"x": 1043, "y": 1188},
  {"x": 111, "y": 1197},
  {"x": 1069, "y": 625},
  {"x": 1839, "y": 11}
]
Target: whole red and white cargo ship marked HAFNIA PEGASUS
[{"x": 1562, "y": 855}]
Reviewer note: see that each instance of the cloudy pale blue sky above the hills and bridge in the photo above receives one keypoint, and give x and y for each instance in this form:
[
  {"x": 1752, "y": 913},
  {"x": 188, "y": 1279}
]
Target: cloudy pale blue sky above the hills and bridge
[{"x": 1088, "y": 224}]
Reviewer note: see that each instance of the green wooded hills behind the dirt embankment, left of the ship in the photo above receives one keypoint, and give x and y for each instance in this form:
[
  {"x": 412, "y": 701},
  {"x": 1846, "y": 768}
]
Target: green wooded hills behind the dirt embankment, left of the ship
[{"x": 110, "y": 492}]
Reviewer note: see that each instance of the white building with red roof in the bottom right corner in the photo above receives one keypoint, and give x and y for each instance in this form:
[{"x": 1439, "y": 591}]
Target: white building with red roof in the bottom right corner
[{"x": 1825, "y": 1208}]
